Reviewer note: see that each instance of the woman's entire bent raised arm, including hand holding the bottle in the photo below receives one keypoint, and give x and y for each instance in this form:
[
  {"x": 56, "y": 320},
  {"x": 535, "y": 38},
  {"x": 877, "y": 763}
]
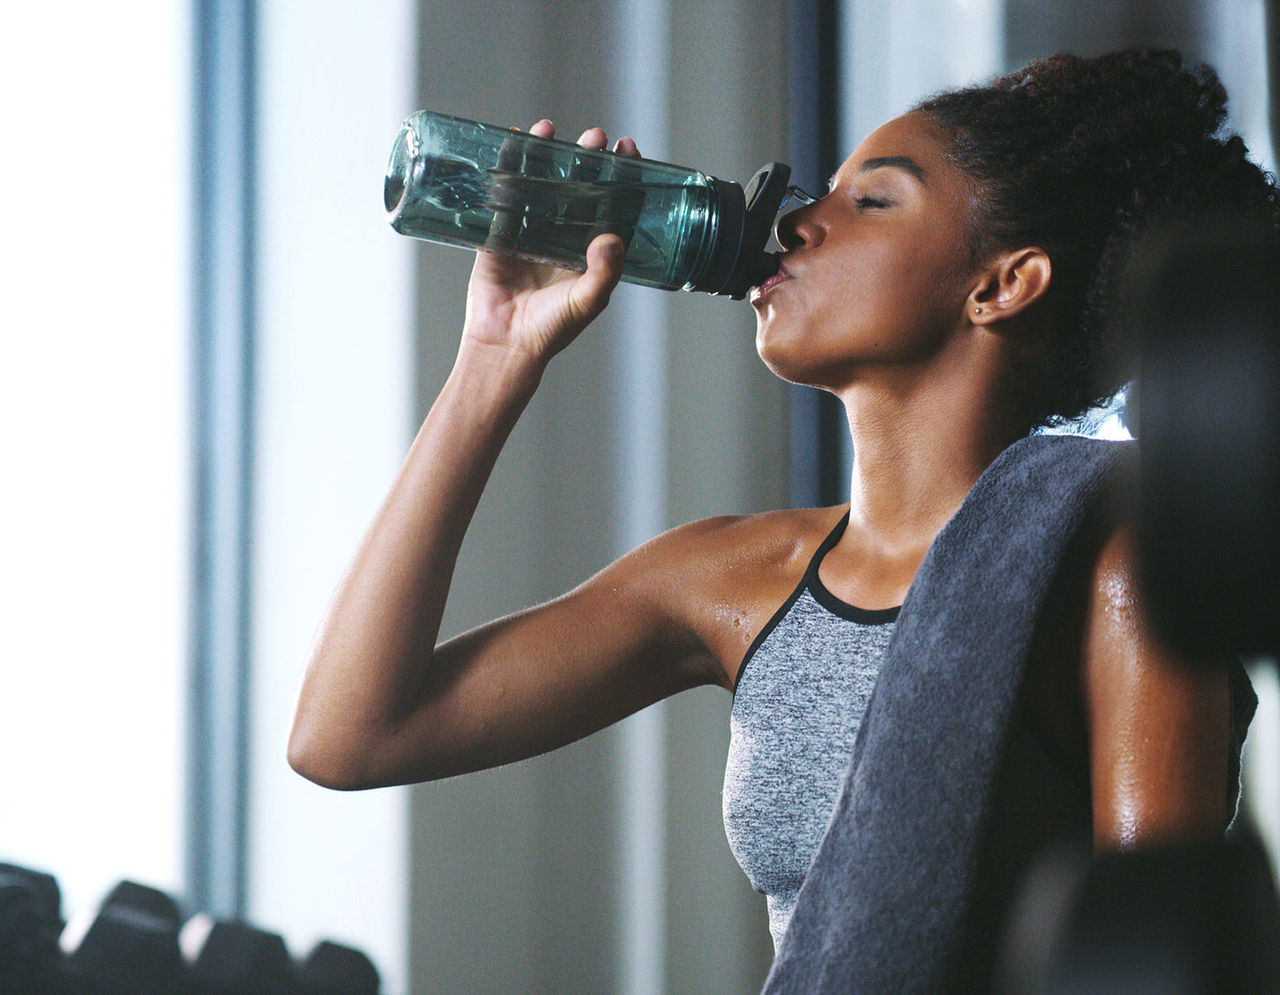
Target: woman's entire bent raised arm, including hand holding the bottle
[{"x": 381, "y": 704}]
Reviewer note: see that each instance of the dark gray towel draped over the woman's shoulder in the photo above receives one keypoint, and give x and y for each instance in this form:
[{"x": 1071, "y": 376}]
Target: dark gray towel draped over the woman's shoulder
[{"x": 883, "y": 909}]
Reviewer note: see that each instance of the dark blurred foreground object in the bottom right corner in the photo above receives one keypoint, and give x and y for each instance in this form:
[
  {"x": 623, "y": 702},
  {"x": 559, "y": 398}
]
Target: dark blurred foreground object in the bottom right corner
[{"x": 1177, "y": 921}]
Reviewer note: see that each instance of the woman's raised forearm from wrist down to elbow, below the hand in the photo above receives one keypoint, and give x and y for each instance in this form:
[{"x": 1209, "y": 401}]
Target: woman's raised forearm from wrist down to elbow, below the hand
[{"x": 376, "y": 645}]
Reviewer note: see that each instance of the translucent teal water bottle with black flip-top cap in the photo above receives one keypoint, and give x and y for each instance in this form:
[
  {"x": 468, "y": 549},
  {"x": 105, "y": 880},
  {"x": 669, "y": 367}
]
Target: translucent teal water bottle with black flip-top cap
[{"x": 493, "y": 189}]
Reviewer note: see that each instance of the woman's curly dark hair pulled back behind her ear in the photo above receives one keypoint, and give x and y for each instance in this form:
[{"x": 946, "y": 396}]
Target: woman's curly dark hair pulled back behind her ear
[{"x": 1081, "y": 157}]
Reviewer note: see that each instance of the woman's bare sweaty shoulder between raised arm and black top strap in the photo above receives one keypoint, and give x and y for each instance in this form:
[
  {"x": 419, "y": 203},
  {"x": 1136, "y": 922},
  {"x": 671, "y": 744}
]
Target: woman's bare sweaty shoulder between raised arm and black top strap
[{"x": 725, "y": 578}]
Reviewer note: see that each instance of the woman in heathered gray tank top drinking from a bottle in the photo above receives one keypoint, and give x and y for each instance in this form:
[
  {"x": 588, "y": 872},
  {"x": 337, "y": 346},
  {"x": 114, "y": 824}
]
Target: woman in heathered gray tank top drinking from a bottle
[{"x": 950, "y": 290}]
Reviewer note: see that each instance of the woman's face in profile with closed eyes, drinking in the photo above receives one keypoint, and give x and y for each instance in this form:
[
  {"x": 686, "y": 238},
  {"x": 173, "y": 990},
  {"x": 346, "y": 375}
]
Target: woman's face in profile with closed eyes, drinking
[{"x": 876, "y": 272}]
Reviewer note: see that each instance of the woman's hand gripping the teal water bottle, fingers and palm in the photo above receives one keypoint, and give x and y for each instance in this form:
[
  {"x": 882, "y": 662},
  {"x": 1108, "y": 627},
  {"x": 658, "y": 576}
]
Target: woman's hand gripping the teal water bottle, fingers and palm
[{"x": 537, "y": 309}]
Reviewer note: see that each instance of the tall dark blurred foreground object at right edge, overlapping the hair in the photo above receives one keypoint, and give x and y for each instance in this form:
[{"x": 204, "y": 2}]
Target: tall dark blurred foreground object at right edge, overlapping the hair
[{"x": 1205, "y": 300}]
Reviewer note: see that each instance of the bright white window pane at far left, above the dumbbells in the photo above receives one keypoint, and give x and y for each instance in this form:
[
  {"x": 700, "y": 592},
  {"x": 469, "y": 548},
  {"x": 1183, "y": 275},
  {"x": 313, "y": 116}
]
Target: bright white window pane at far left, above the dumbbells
[{"x": 94, "y": 414}]
